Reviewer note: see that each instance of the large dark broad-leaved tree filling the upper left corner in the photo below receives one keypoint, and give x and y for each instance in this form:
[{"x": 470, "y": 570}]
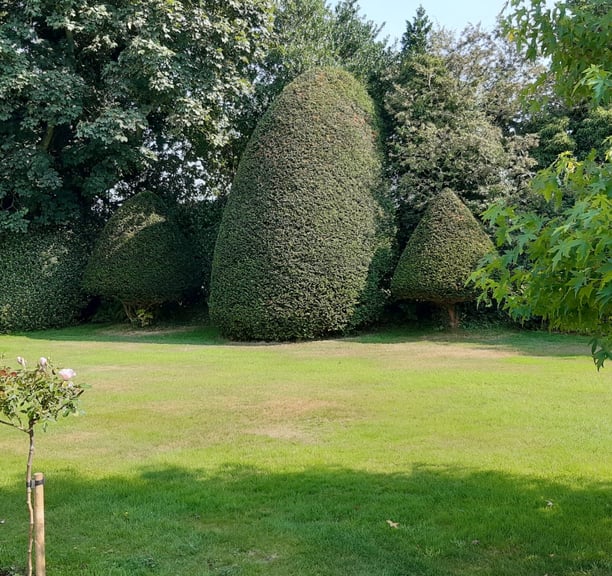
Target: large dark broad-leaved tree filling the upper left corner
[{"x": 94, "y": 93}]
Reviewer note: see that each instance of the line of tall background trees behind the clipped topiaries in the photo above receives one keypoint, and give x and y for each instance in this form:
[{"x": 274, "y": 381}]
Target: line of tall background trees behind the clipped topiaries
[{"x": 100, "y": 101}]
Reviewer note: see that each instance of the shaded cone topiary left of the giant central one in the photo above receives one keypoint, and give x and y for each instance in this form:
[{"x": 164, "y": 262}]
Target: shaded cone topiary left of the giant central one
[{"x": 141, "y": 258}]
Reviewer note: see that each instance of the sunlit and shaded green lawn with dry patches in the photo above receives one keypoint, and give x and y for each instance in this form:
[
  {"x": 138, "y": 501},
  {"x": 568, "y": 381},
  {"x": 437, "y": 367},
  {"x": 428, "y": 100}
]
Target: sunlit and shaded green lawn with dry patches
[{"x": 392, "y": 454}]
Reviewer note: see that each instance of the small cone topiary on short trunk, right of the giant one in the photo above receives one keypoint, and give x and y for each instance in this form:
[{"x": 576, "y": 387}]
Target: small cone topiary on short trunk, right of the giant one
[{"x": 443, "y": 251}]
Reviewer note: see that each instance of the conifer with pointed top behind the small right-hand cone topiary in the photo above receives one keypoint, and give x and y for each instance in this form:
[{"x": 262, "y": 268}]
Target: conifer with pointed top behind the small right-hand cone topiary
[{"x": 441, "y": 134}]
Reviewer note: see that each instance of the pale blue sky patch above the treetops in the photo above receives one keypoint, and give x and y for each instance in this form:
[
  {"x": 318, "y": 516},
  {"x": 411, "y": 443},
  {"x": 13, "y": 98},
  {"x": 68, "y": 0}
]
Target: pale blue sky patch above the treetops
[{"x": 453, "y": 14}]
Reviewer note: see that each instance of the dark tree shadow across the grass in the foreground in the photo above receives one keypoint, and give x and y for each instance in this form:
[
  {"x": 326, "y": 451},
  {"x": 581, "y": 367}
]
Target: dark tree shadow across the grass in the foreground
[{"x": 240, "y": 520}]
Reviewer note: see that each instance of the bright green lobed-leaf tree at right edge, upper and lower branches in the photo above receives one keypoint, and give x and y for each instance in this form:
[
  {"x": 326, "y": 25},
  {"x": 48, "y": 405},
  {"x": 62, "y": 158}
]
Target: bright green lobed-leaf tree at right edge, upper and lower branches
[{"x": 557, "y": 266}]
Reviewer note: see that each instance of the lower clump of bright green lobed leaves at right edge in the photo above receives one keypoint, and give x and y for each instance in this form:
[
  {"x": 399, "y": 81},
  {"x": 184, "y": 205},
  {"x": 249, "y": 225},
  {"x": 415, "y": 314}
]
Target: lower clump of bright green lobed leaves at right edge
[{"x": 558, "y": 267}]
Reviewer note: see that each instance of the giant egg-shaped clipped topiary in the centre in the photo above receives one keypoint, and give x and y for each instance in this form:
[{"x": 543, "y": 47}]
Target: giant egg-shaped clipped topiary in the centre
[{"x": 306, "y": 237}]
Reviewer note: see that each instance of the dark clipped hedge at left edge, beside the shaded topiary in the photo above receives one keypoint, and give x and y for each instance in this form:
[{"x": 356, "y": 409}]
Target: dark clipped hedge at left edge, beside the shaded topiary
[{"x": 41, "y": 279}]
